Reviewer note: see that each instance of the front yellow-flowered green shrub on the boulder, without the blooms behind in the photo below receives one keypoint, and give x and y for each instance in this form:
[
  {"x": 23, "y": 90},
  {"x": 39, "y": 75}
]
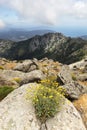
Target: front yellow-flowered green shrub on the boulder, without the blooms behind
[{"x": 47, "y": 102}]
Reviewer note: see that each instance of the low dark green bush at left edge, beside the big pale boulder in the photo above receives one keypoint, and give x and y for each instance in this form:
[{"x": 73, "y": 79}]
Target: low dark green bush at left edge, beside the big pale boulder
[{"x": 4, "y": 91}]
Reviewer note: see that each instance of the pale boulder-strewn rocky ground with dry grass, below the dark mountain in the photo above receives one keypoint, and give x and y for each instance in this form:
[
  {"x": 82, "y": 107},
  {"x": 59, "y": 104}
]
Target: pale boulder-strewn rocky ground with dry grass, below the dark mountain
[{"x": 16, "y": 113}]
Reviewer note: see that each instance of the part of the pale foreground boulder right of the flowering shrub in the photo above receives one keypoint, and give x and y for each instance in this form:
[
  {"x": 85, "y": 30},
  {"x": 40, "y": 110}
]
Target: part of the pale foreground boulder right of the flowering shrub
[{"x": 67, "y": 119}]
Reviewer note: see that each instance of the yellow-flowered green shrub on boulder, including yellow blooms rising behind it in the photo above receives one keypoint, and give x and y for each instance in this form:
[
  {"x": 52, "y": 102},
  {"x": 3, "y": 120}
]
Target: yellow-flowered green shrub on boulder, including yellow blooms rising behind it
[{"x": 47, "y": 99}]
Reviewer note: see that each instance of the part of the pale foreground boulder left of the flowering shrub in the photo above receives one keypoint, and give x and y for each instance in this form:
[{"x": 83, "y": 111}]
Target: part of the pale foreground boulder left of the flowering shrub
[{"x": 16, "y": 113}]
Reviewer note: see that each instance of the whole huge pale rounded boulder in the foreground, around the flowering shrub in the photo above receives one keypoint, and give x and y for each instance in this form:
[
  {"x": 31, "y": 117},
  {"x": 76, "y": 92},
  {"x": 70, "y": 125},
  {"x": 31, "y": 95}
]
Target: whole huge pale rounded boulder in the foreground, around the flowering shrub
[{"x": 18, "y": 113}]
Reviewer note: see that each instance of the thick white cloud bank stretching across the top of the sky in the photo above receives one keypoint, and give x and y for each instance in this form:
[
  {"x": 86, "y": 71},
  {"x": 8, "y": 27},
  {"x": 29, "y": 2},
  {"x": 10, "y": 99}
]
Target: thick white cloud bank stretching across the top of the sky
[{"x": 51, "y": 12}]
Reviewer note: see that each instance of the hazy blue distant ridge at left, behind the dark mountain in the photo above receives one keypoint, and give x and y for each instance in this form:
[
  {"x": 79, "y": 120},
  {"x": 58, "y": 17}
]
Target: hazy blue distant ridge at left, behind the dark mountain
[{"x": 19, "y": 35}]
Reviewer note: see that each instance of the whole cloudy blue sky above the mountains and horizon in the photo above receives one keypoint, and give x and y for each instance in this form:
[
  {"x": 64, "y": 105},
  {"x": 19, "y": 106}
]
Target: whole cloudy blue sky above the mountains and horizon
[{"x": 67, "y": 16}]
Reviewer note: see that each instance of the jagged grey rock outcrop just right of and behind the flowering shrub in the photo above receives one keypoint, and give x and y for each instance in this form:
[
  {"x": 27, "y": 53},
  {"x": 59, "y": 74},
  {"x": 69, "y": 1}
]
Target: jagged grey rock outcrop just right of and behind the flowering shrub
[{"x": 73, "y": 88}]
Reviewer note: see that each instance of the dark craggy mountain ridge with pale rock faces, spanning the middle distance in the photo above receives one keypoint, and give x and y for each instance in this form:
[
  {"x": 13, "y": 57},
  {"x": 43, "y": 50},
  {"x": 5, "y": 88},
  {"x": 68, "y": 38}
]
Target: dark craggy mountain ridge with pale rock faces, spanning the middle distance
[{"x": 52, "y": 45}]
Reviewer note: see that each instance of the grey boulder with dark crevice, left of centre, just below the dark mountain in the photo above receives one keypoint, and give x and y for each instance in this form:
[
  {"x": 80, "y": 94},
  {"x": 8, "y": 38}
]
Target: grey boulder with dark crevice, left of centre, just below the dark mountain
[{"x": 27, "y": 66}]
